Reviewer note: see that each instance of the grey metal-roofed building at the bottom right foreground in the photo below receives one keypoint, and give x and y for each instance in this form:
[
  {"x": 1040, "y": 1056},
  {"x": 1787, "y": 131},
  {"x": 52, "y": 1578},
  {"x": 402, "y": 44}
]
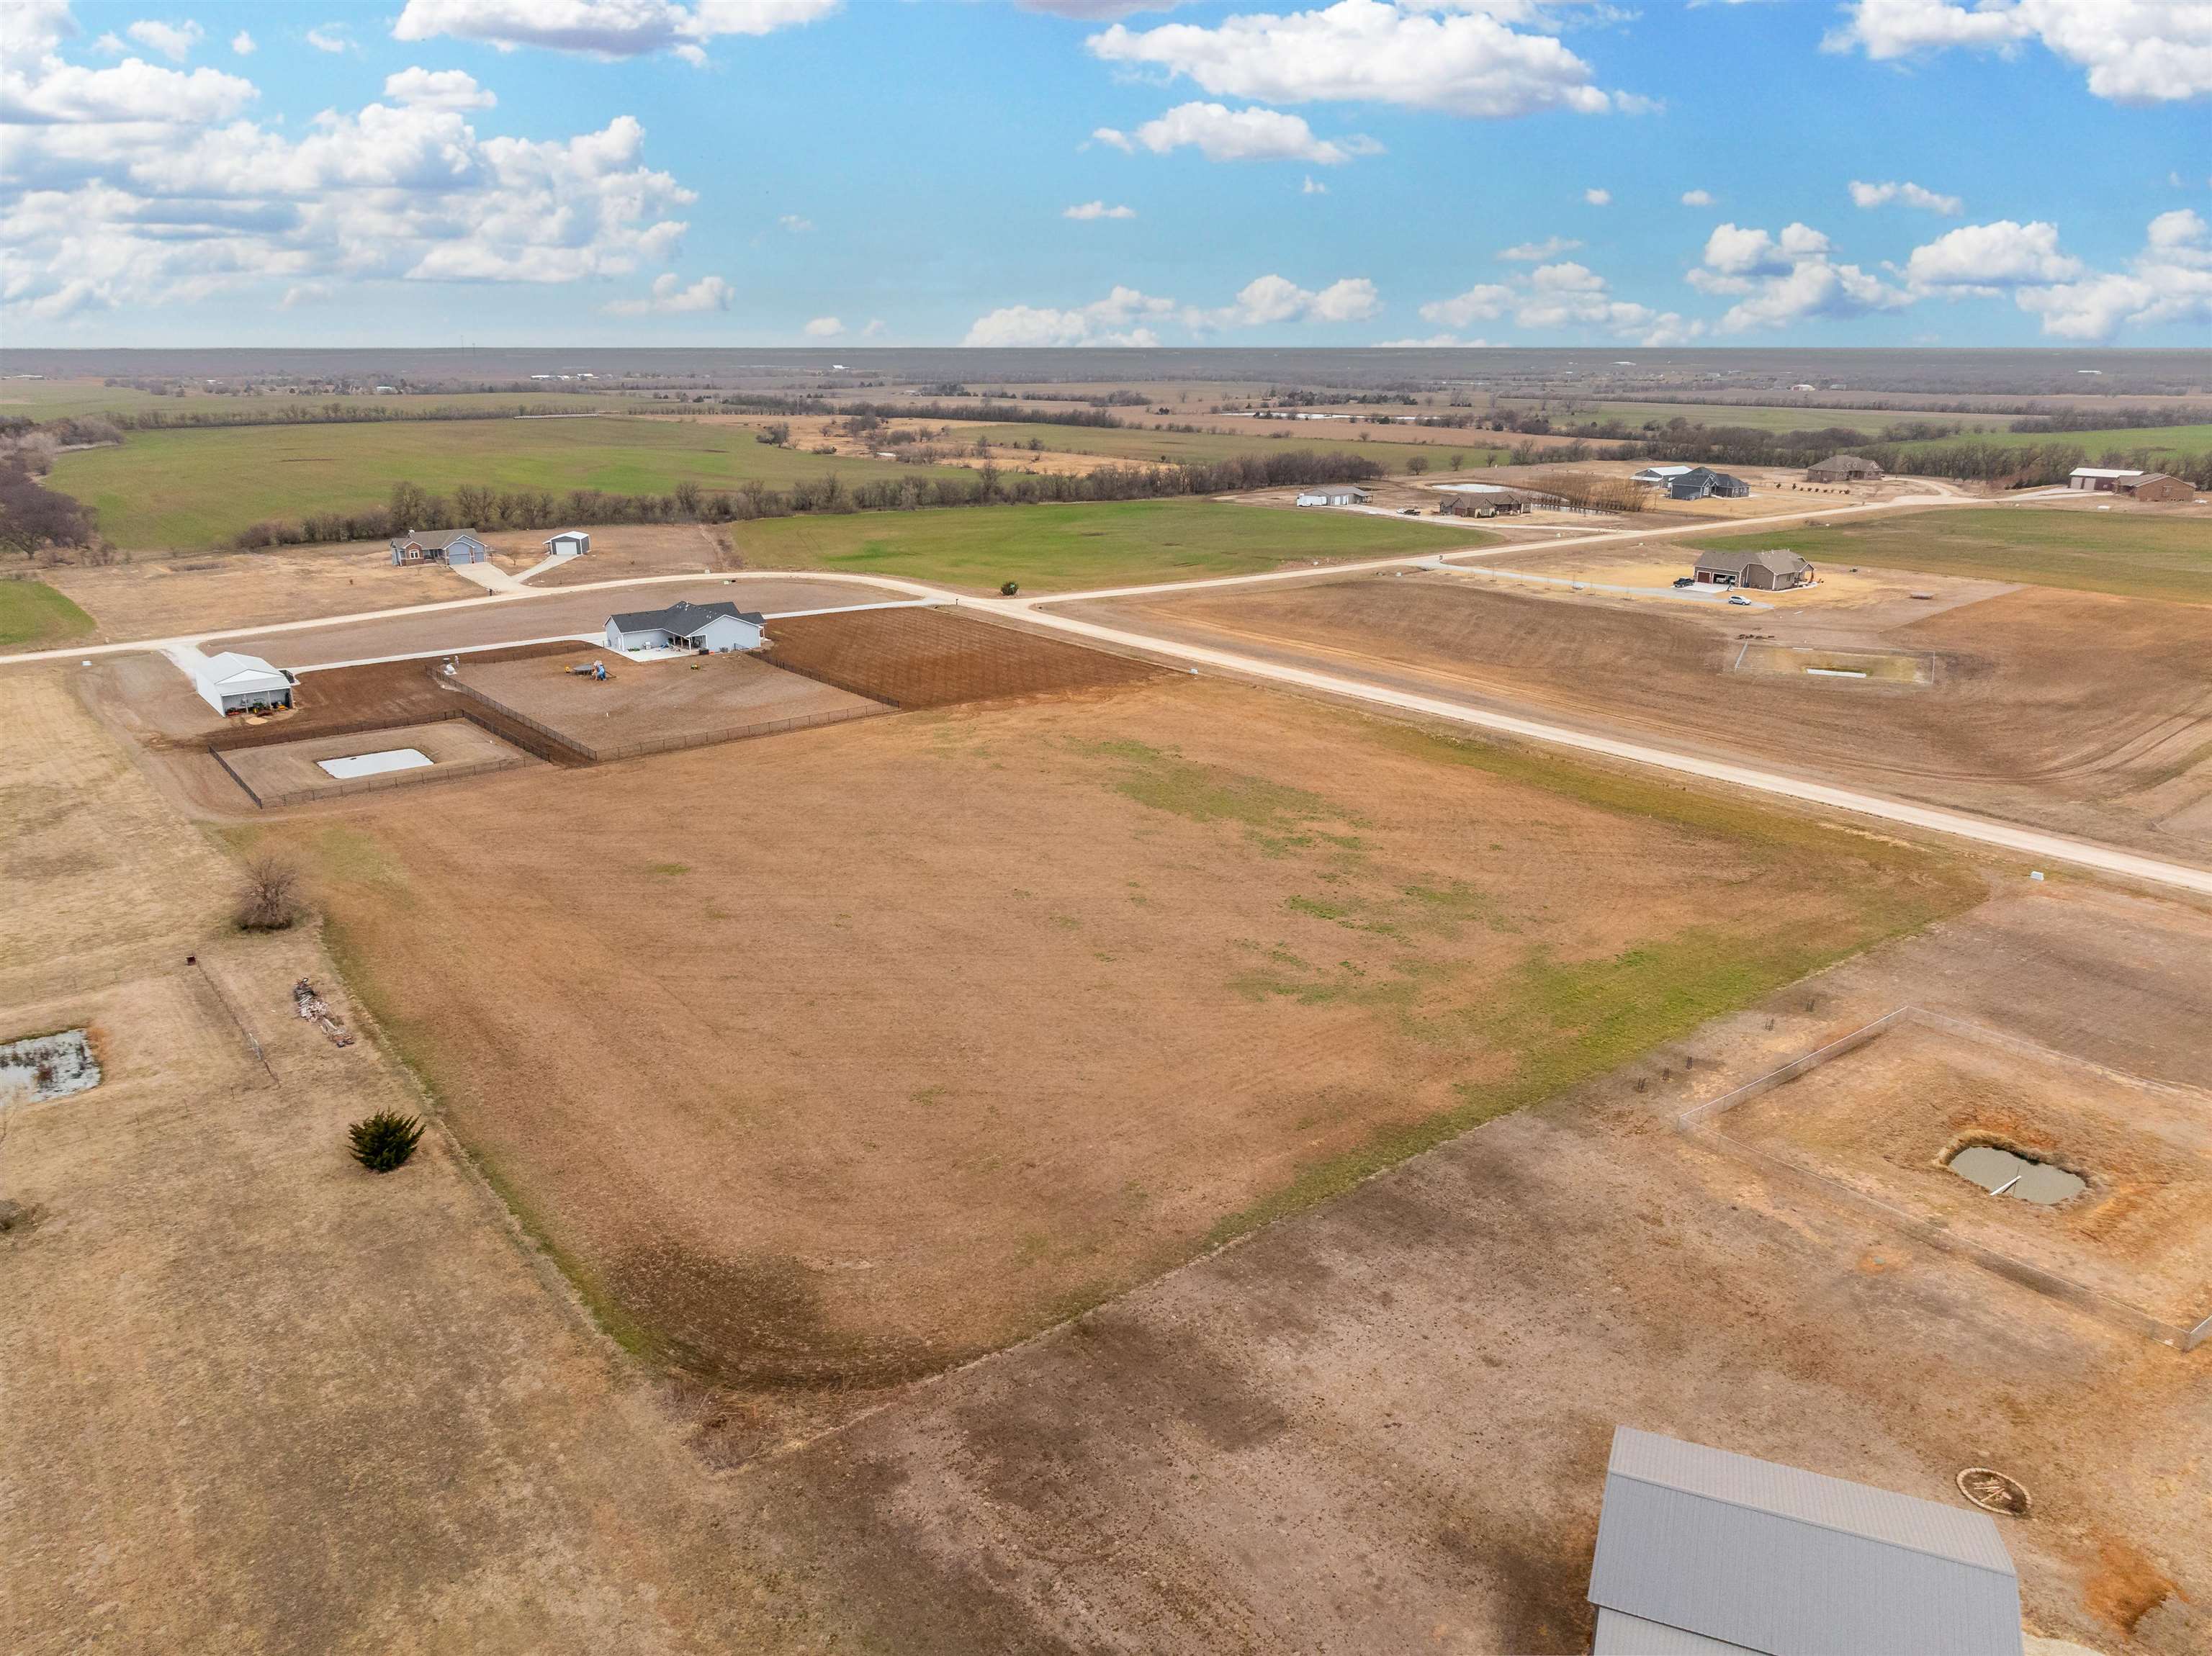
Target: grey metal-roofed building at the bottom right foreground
[{"x": 1704, "y": 1551}]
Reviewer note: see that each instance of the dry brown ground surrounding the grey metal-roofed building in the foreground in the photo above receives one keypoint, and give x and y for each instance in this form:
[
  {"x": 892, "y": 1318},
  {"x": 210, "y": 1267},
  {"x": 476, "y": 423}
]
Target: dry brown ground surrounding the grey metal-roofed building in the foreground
[{"x": 1384, "y": 1427}]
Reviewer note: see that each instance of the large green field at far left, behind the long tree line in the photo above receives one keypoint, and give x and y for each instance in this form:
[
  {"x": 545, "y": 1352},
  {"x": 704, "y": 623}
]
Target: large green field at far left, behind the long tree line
[{"x": 196, "y": 490}]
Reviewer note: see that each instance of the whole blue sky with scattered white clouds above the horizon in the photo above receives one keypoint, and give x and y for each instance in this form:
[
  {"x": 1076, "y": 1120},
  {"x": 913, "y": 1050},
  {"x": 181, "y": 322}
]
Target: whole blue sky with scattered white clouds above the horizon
[{"x": 802, "y": 171}]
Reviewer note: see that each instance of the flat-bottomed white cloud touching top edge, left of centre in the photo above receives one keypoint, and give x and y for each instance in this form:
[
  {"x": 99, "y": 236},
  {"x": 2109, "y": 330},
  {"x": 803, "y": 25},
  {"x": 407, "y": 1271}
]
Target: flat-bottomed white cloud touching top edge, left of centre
[{"x": 603, "y": 28}]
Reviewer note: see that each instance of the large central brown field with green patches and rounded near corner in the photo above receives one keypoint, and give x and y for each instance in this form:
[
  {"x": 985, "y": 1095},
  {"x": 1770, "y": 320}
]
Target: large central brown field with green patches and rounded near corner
[{"x": 928, "y": 1031}]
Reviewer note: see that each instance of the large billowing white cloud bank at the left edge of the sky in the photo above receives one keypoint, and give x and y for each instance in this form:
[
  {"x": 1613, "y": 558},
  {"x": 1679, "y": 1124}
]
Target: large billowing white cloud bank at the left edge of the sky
[{"x": 136, "y": 187}]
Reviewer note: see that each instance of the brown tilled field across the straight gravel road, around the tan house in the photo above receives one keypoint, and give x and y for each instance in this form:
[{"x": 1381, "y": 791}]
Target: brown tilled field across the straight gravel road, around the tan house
[{"x": 2067, "y": 711}]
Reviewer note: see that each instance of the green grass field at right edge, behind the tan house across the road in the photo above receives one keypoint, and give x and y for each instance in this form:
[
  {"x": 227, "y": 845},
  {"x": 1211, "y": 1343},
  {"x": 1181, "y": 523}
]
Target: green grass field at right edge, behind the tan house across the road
[{"x": 2167, "y": 558}]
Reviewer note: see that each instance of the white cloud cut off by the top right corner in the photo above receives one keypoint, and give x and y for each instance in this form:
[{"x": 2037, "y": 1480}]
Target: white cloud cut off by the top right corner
[{"x": 2136, "y": 52}]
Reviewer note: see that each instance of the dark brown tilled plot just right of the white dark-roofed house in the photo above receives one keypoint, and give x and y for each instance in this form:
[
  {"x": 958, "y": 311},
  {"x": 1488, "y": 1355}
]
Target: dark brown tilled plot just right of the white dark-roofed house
[{"x": 941, "y": 658}]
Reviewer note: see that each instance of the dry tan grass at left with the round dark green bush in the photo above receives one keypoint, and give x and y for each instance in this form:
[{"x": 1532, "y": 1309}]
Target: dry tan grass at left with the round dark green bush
[{"x": 255, "y": 1396}]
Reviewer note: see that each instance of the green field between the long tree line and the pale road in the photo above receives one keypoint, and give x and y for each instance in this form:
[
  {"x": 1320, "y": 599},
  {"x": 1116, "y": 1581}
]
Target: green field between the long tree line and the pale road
[{"x": 1054, "y": 549}]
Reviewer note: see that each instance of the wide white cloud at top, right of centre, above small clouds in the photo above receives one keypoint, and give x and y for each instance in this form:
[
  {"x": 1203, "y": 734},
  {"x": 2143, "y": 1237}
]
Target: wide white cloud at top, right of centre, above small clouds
[{"x": 1461, "y": 59}]
